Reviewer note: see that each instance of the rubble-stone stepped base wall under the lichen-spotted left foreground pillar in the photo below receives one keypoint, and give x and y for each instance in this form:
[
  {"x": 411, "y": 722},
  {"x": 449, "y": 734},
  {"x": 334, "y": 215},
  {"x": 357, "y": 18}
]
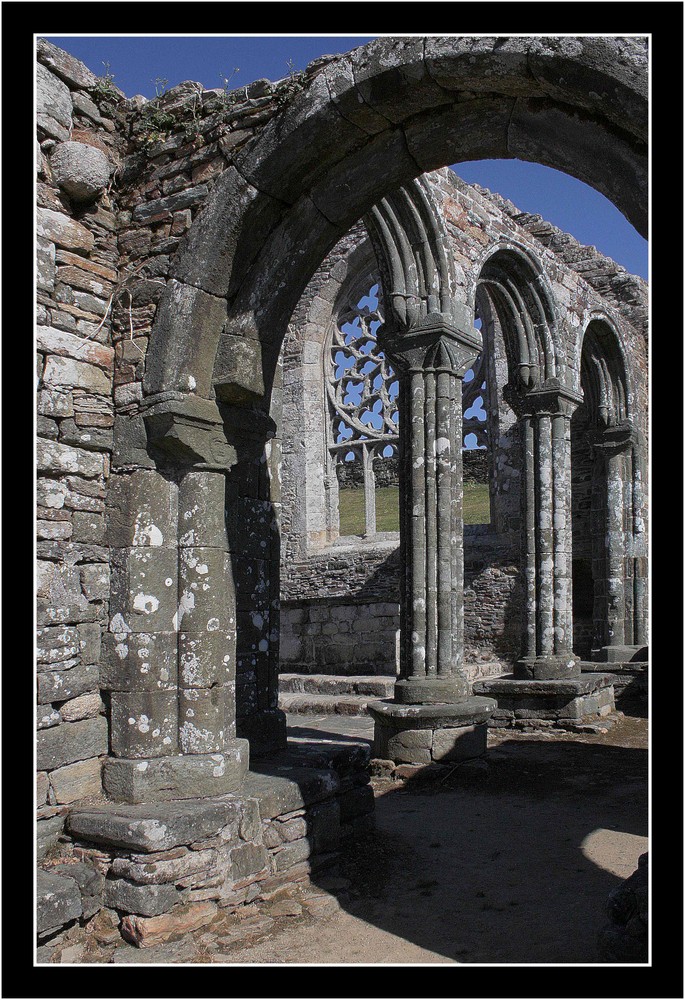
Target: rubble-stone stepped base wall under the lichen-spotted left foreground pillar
[{"x": 162, "y": 870}]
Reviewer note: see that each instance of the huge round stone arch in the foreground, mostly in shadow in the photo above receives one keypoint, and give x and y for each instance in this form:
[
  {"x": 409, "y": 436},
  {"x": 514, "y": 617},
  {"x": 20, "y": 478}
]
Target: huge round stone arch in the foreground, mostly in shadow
[{"x": 367, "y": 123}]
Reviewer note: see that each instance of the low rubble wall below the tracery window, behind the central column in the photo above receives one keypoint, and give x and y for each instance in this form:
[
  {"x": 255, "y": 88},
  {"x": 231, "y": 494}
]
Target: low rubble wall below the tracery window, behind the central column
[{"x": 353, "y": 629}]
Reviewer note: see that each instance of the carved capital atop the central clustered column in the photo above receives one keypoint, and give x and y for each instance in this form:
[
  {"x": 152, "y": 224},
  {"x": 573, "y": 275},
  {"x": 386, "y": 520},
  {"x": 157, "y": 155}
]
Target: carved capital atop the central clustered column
[{"x": 434, "y": 345}]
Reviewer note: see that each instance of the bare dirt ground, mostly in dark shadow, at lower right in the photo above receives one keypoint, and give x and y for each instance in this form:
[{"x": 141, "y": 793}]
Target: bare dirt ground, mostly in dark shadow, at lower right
[{"x": 510, "y": 862}]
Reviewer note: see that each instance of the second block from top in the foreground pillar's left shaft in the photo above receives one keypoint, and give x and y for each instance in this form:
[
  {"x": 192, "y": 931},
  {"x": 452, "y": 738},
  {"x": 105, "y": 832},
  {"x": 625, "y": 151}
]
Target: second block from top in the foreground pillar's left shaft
[{"x": 143, "y": 589}]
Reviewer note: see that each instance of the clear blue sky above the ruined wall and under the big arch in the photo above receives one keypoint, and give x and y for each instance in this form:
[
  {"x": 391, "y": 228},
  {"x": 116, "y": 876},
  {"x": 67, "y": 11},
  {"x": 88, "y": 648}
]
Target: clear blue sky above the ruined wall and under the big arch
[{"x": 138, "y": 63}]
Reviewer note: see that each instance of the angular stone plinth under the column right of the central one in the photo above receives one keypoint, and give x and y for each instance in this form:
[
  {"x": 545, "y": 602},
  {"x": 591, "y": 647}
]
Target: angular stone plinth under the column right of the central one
[{"x": 555, "y": 702}]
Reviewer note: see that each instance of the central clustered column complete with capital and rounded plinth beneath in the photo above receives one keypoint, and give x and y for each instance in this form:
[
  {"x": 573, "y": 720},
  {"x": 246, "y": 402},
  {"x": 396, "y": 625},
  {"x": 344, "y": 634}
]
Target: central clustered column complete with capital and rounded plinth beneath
[{"x": 432, "y": 708}]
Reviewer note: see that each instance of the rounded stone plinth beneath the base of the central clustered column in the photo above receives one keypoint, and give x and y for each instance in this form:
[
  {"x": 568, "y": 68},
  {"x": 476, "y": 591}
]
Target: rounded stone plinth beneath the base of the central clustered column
[{"x": 426, "y": 734}]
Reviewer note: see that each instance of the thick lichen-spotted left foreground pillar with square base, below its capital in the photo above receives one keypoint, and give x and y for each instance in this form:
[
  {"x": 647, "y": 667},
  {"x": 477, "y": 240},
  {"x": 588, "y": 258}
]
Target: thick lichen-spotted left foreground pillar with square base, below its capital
[{"x": 169, "y": 661}]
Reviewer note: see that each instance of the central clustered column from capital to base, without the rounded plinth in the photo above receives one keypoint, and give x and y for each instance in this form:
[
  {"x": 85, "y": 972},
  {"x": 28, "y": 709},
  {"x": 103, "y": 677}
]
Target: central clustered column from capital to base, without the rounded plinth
[{"x": 431, "y": 367}]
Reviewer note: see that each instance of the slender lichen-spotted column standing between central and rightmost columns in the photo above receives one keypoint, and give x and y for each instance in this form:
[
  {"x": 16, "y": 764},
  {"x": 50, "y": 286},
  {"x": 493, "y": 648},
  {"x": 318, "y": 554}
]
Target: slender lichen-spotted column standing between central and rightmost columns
[{"x": 545, "y": 423}]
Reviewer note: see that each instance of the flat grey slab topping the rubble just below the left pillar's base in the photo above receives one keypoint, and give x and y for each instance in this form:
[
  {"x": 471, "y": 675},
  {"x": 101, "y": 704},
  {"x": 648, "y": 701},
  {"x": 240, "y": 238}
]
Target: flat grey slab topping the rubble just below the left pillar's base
[{"x": 153, "y": 828}]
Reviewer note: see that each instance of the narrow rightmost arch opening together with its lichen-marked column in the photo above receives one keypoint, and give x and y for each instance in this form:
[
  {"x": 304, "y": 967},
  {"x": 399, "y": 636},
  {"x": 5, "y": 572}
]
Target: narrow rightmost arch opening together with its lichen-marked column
[{"x": 608, "y": 595}]
